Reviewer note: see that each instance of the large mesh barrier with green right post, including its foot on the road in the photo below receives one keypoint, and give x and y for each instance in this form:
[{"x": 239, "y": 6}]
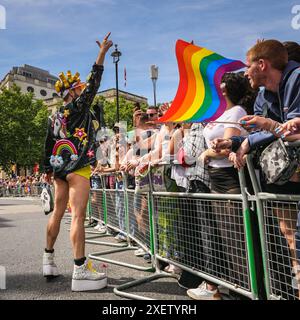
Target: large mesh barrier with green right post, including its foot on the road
[{"x": 209, "y": 235}]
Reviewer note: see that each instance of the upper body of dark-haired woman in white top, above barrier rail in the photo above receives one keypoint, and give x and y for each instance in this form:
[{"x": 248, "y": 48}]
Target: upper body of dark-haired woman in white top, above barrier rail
[{"x": 237, "y": 92}]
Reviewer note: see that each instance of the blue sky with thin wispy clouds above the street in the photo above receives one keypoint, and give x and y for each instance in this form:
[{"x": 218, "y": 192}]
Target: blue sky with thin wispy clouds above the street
[{"x": 58, "y": 35}]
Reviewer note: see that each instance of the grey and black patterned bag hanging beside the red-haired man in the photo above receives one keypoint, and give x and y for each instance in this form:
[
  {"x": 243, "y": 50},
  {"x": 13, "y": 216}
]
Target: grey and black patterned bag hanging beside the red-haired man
[{"x": 278, "y": 162}]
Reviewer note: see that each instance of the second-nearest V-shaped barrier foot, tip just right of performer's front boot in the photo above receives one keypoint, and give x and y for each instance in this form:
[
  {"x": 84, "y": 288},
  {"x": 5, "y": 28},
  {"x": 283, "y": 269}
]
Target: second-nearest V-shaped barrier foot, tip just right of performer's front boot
[{"x": 99, "y": 256}]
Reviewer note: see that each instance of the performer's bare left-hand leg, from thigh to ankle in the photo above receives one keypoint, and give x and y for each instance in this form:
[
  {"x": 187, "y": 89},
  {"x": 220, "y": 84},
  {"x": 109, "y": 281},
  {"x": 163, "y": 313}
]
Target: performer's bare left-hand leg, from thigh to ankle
[{"x": 60, "y": 204}]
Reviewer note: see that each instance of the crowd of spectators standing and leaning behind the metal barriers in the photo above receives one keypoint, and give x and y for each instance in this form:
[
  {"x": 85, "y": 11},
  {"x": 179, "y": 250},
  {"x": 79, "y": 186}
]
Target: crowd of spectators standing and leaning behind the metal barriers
[{"x": 210, "y": 156}]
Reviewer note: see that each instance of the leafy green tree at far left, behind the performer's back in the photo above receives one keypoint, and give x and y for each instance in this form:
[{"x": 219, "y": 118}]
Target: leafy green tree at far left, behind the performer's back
[{"x": 22, "y": 128}]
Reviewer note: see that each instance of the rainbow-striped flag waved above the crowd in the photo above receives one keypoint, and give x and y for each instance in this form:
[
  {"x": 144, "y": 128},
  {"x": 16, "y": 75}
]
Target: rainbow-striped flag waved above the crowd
[{"x": 199, "y": 97}]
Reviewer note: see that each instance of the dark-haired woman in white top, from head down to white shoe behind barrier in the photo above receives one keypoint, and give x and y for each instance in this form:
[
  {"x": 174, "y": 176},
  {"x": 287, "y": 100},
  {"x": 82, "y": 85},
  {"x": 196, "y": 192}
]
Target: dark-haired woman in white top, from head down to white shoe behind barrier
[{"x": 224, "y": 179}]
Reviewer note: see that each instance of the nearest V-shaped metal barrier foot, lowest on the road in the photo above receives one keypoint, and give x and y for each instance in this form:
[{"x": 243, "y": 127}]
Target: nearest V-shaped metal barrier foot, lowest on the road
[{"x": 119, "y": 290}]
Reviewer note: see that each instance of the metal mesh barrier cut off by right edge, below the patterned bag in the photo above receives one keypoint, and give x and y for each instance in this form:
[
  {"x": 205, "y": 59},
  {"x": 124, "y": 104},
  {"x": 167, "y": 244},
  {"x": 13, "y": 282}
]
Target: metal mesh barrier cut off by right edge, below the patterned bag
[{"x": 279, "y": 223}]
